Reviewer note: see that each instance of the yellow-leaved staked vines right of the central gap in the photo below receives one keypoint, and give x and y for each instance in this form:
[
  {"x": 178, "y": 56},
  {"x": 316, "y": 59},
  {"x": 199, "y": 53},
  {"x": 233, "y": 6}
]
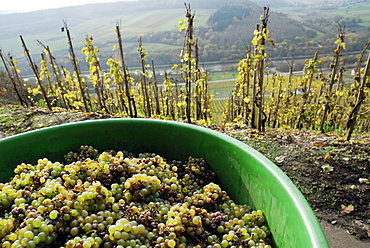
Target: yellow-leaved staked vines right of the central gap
[{"x": 322, "y": 102}]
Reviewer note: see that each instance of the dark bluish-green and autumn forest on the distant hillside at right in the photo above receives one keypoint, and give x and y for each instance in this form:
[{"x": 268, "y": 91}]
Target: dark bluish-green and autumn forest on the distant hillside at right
[{"x": 230, "y": 29}]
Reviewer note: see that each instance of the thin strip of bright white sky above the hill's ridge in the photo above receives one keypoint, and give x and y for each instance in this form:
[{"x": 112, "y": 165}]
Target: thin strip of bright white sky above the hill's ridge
[{"x": 30, "y": 5}]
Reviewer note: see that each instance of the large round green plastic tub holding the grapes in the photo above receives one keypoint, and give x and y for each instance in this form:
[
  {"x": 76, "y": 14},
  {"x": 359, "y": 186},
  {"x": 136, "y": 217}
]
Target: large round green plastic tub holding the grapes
[{"x": 247, "y": 176}]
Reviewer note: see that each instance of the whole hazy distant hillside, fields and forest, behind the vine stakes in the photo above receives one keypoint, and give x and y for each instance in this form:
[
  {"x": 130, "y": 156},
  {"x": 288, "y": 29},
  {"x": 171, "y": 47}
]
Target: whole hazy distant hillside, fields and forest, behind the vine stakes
[{"x": 224, "y": 29}]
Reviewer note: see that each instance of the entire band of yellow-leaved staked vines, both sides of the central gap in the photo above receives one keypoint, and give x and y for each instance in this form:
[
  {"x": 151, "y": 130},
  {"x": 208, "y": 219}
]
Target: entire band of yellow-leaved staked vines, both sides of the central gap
[{"x": 323, "y": 102}]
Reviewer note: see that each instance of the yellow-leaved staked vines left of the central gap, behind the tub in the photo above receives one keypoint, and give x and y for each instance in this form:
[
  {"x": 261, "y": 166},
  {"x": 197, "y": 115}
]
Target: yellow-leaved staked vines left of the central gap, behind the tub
[{"x": 117, "y": 91}]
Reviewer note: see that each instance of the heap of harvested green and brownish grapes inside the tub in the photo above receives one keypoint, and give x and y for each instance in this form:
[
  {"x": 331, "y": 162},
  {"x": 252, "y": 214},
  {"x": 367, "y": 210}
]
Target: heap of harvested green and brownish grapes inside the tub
[{"x": 116, "y": 199}]
